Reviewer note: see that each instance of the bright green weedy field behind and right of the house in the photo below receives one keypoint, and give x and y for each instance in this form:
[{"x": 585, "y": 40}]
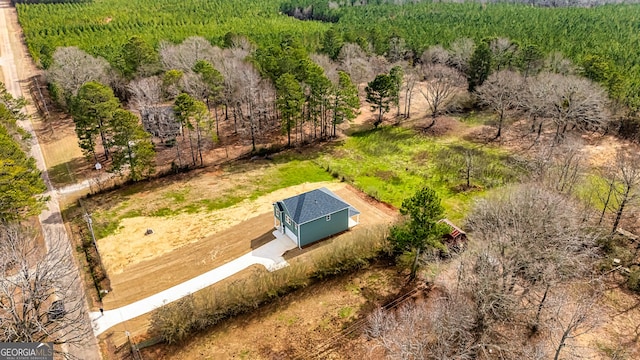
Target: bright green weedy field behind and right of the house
[{"x": 392, "y": 163}]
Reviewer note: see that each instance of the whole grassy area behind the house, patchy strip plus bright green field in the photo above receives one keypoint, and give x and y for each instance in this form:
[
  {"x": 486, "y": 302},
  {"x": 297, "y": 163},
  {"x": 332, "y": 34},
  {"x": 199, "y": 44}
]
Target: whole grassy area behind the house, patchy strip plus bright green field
[{"x": 389, "y": 164}]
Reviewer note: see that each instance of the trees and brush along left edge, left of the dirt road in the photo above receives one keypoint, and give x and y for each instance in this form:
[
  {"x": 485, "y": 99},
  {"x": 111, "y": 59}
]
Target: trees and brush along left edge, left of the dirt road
[{"x": 40, "y": 296}]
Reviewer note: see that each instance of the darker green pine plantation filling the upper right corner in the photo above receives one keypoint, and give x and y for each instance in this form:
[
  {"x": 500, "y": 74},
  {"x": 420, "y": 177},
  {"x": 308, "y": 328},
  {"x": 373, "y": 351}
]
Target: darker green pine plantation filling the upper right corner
[{"x": 597, "y": 47}]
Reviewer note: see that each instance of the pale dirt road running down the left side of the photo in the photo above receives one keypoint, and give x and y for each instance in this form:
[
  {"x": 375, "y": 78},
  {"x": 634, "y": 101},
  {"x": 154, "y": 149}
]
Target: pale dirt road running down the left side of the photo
[{"x": 17, "y": 69}]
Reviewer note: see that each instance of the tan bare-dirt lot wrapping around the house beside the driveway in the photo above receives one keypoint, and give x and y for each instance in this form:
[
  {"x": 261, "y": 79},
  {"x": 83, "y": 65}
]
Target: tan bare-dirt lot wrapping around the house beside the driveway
[{"x": 139, "y": 265}]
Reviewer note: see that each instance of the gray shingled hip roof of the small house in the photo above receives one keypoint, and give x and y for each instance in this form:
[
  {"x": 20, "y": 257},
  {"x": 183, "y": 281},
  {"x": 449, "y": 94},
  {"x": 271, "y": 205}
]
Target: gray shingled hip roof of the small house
[{"x": 313, "y": 205}]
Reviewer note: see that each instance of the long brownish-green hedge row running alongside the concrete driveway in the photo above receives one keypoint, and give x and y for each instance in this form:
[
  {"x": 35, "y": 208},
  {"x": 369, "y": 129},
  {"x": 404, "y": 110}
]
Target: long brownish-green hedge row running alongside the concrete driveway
[{"x": 175, "y": 322}]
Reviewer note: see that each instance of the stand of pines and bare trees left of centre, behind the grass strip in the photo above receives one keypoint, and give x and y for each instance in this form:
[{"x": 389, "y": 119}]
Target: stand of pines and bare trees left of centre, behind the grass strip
[{"x": 253, "y": 91}]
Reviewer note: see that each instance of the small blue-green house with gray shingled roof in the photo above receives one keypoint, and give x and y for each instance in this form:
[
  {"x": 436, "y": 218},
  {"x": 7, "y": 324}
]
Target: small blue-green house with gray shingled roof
[{"x": 313, "y": 216}]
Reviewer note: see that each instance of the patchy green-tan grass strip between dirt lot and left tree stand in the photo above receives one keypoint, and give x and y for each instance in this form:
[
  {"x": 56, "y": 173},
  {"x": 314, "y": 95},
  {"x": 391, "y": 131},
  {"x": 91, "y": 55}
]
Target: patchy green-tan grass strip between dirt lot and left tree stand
[{"x": 168, "y": 198}]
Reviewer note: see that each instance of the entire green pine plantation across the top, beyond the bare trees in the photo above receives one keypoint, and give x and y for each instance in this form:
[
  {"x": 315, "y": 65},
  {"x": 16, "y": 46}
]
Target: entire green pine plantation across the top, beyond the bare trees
[{"x": 603, "y": 34}]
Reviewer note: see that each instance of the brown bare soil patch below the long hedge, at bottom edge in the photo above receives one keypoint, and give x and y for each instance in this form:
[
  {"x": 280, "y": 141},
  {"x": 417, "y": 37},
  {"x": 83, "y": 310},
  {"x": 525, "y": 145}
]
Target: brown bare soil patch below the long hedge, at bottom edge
[{"x": 298, "y": 324}]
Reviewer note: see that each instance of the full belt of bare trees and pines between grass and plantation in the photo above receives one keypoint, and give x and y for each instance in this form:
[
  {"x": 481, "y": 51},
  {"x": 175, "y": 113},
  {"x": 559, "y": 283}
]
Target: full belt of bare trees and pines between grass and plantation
[{"x": 306, "y": 96}]
